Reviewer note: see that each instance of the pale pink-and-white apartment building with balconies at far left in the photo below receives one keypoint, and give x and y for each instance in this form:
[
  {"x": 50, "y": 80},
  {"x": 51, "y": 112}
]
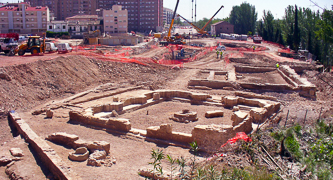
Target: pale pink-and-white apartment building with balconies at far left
[{"x": 23, "y": 18}]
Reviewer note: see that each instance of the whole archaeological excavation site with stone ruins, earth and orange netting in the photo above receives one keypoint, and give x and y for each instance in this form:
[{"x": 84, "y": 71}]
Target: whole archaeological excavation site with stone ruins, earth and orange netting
[{"x": 106, "y": 113}]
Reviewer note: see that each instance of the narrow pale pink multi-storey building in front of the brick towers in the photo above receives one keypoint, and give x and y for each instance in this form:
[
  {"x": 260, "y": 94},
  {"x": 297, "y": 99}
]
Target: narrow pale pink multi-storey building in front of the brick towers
[{"x": 115, "y": 20}]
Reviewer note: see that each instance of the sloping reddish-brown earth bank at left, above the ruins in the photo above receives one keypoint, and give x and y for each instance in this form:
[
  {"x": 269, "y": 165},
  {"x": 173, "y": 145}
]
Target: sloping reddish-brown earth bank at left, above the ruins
[{"x": 26, "y": 85}]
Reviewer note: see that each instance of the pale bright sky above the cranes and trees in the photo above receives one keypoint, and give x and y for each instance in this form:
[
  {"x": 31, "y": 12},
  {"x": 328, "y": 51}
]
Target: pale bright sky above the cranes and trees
[{"x": 207, "y": 8}]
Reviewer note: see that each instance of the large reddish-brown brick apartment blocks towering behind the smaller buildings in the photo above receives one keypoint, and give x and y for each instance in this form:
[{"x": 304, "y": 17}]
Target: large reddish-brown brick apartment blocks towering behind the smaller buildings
[{"x": 143, "y": 15}]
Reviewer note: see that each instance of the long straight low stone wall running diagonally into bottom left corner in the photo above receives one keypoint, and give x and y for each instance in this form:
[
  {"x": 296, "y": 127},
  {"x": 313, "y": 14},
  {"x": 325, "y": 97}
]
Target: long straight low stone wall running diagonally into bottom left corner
[{"x": 48, "y": 156}]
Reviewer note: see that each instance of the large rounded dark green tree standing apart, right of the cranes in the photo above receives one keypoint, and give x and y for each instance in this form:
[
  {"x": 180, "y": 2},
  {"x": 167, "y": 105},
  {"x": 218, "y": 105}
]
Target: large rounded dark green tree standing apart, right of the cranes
[{"x": 243, "y": 18}]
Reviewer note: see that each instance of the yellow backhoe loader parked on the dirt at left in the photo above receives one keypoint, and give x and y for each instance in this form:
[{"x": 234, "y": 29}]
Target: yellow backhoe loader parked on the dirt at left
[{"x": 34, "y": 45}]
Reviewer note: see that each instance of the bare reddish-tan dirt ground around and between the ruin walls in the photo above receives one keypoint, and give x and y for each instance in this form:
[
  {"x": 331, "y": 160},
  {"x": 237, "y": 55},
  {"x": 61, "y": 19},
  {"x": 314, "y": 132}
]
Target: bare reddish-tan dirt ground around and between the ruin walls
[{"x": 27, "y": 83}]
